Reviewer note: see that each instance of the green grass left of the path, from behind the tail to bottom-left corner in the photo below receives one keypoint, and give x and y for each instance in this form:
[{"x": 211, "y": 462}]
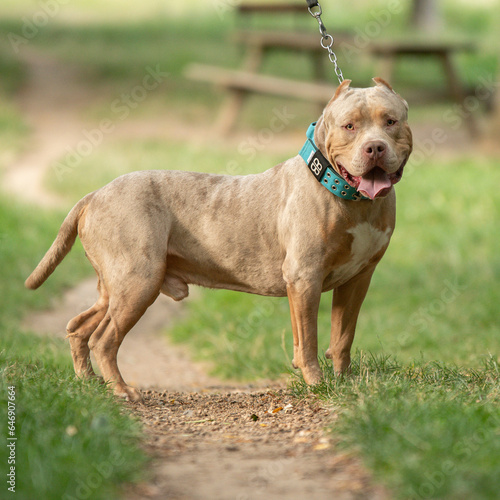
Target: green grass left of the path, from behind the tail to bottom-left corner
[{"x": 73, "y": 438}]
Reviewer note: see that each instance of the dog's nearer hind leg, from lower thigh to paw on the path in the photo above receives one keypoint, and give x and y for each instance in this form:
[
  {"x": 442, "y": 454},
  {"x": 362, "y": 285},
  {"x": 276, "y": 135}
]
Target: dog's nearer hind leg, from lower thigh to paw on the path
[{"x": 129, "y": 298}]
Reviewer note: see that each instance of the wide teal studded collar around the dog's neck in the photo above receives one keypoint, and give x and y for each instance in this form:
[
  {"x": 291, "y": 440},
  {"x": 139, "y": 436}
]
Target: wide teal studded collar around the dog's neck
[{"x": 324, "y": 172}]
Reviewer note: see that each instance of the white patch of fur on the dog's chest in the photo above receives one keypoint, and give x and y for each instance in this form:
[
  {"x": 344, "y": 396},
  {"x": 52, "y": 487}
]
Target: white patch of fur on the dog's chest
[{"x": 367, "y": 242}]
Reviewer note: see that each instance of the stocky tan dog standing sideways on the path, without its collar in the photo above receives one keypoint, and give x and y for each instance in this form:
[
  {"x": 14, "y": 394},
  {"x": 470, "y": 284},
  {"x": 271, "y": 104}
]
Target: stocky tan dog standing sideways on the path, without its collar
[{"x": 278, "y": 233}]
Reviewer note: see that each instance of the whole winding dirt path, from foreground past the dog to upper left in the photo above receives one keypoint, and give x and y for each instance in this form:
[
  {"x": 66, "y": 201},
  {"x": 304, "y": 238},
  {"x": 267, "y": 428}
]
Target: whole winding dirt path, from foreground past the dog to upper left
[{"x": 209, "y": 439}]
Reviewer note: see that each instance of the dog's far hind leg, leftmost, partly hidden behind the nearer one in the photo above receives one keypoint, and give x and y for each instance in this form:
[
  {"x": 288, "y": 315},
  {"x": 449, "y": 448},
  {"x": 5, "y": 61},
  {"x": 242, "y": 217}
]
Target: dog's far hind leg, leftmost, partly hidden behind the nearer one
[{"x": 79, "y": 330}]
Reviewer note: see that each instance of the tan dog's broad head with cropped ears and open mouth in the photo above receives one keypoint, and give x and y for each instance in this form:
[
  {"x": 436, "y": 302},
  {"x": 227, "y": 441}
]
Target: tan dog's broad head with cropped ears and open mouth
[{"x": 366, "y": 136}]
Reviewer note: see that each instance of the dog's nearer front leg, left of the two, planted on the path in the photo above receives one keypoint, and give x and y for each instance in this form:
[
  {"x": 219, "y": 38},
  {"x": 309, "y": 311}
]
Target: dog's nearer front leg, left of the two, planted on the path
[{"x": 304, "y": 297}]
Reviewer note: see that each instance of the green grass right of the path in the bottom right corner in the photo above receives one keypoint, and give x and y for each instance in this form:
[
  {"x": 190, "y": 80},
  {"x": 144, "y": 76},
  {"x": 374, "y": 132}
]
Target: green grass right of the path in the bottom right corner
[{"x": 425, "y": 430}]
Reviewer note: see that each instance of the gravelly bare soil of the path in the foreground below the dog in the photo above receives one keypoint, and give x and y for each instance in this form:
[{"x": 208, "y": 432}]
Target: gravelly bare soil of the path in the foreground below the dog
[{"x": 242, "y": 445}]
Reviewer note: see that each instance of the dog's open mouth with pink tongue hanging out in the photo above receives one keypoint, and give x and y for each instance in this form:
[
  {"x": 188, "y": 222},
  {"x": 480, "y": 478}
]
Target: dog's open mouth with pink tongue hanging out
[{"x": 374, "y": 184}]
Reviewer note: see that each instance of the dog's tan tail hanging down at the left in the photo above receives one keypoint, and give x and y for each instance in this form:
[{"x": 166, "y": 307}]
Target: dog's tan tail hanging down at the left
[{"x": 61, "y": 246}]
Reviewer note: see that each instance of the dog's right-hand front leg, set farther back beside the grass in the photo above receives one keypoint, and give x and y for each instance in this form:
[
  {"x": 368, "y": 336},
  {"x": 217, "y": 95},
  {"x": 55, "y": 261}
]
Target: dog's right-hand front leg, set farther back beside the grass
[{"x": 347, "y": 301}]
